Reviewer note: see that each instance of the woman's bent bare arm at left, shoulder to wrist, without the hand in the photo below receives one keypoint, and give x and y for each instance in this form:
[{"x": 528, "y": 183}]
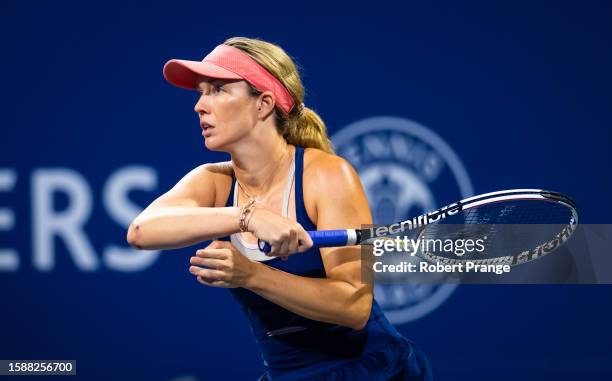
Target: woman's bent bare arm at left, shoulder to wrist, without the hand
[{"x": 187, "y": 213}]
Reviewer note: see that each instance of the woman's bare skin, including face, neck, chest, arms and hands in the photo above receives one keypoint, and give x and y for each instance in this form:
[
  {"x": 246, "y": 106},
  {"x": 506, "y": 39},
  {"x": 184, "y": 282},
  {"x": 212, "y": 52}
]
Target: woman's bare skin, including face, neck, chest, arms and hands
[{"x": 194, "y": 210}]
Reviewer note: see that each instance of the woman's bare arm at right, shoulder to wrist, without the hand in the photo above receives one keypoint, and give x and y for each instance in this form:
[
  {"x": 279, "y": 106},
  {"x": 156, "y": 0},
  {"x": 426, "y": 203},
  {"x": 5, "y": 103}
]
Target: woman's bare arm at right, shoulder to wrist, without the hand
[{"x": 341, "y": 298}]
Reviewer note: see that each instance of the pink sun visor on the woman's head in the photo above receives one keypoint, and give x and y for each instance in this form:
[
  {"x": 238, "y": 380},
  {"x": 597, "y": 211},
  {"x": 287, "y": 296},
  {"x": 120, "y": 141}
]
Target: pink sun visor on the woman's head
[{"x": 227, "y": 62}]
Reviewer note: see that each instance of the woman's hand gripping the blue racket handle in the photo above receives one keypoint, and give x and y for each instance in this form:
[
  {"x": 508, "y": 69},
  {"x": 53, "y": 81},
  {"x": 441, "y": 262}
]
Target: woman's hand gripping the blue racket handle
[{"x": 284, "y": 236}]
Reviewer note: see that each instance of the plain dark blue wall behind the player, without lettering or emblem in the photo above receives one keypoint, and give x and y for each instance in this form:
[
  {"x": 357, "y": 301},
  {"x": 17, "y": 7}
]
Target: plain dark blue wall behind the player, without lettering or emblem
[{"x": 521, "y": 92}]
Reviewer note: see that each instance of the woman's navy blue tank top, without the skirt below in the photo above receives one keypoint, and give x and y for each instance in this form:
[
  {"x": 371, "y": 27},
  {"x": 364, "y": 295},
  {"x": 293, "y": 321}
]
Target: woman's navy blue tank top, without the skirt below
[{"x": 292, "y": 346}]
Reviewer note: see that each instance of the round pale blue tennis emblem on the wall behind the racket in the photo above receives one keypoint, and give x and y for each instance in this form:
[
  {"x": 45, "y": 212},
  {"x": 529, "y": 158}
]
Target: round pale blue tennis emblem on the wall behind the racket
[{"x": 406, "y": 170}]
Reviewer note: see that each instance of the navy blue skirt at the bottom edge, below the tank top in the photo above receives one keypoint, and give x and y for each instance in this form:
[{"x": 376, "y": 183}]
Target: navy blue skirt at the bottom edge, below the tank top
[{"x": 401, "y": 360}]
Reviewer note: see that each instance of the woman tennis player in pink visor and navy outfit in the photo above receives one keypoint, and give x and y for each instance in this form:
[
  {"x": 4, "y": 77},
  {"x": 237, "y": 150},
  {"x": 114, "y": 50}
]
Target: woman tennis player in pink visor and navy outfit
[{"x": 311, "y": 315}]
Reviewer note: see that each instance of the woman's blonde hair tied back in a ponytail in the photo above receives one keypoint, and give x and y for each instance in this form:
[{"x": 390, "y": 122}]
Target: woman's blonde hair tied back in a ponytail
[{"x": 302, "y": 126}]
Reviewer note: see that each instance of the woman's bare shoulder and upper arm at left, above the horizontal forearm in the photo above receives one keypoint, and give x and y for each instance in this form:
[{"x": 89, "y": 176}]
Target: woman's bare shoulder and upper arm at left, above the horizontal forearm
[{"x": 205, "y": 185}]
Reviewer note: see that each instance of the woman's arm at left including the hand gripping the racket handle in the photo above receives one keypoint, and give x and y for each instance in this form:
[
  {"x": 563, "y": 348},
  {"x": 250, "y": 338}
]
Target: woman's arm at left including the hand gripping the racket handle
[{"x": 194, "y": 211}]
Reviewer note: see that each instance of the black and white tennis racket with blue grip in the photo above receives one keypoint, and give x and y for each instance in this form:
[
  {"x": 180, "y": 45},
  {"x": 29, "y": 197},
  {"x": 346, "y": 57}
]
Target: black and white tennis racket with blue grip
[{"x": 514, "y": 226}]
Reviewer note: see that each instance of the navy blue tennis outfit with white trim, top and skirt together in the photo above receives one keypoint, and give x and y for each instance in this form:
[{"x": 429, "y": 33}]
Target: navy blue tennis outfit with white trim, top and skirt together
[{"x": 296, "y": 348}]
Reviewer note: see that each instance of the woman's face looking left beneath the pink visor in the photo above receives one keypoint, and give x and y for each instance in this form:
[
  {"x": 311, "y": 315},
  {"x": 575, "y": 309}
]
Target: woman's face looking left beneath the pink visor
[{"x": 226, "y": 110}]
